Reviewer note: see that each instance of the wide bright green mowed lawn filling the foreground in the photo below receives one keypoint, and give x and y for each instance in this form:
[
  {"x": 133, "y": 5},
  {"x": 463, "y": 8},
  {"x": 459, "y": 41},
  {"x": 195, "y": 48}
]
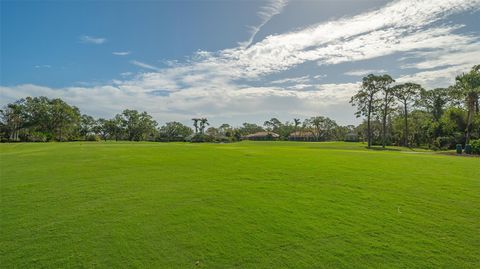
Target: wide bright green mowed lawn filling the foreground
[{"x": 241, "y": 205}]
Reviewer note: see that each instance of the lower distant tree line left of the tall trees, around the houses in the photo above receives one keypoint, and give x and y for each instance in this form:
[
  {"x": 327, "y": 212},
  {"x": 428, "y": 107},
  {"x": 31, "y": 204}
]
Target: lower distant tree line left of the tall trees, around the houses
[{"x": 40, "y": 119}]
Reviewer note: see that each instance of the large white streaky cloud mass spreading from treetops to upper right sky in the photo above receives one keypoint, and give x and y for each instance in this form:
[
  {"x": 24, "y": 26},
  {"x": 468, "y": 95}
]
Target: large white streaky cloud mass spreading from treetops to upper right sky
[{"x": 225, "y": 83}]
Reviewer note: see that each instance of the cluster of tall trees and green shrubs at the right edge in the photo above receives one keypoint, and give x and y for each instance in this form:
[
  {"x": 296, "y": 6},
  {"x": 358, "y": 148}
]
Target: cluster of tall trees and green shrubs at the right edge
[{"x": 409, "y": 115}]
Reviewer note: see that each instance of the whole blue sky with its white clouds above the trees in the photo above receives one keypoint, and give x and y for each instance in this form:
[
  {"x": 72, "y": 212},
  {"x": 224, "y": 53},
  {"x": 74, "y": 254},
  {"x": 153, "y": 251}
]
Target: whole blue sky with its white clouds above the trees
[{"x": 230, "y": 61}]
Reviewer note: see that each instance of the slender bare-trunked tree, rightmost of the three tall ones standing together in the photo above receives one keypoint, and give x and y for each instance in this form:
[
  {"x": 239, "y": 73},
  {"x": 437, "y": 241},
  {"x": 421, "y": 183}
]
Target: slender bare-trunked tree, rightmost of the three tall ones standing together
[{"x": 406, "y": 94}]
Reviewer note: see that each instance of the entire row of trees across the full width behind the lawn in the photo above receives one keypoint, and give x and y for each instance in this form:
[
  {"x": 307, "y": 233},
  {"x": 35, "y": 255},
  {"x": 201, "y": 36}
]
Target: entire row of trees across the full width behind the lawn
[{"x": 403, "y": 114}]
